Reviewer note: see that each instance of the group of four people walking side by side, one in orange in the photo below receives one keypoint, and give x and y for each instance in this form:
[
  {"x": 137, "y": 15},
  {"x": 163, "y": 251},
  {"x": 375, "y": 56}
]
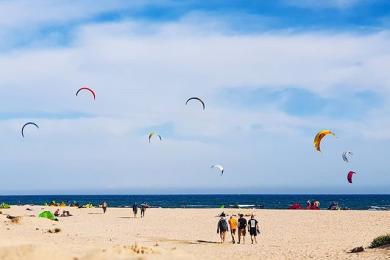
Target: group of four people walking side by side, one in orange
[{"x": 240, "y": 225}]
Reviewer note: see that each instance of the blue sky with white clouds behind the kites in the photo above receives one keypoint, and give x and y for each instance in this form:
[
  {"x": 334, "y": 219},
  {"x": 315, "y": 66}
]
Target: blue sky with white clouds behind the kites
[{"x": 272, "y": 74}]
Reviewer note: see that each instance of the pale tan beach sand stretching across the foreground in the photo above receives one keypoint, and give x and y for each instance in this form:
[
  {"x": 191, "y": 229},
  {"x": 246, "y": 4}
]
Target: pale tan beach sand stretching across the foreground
[{"x": 189, "y": 234}]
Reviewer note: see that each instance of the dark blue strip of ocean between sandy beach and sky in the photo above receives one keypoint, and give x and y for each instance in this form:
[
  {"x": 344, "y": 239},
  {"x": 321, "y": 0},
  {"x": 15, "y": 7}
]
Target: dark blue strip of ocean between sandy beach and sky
[{"x": 357, "y": 202}]
